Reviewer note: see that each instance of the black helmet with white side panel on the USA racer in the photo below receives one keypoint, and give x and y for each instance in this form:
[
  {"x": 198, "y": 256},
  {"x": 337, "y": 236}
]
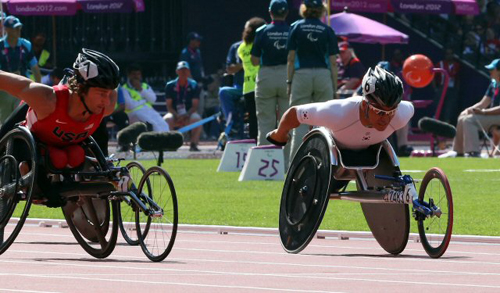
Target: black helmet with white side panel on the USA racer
[{"x": 95, "y": 69}]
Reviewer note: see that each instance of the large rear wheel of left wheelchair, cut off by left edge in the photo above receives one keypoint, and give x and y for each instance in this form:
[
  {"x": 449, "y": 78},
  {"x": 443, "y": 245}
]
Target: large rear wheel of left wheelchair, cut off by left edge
[{"x": 15, "y": 190}]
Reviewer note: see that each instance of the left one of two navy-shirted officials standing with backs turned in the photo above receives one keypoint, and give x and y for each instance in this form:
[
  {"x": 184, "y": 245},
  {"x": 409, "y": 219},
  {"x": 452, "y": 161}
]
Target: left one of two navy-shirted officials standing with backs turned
[{"x": 269, "y": 51}]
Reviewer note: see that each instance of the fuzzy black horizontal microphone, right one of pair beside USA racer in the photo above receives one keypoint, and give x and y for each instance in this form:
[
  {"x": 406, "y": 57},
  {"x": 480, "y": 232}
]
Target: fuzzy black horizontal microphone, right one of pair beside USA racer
[{"x": 157, "y": 141}]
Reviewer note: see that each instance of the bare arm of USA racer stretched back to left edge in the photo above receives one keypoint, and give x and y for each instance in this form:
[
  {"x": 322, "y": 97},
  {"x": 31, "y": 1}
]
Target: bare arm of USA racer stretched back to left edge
[{"x": 41, "y": 98}]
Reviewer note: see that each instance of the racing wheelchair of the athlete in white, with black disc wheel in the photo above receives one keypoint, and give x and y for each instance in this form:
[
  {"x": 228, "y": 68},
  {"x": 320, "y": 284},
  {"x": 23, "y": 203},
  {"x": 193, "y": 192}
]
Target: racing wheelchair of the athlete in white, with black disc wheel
[{"x": 321, "y": 171}]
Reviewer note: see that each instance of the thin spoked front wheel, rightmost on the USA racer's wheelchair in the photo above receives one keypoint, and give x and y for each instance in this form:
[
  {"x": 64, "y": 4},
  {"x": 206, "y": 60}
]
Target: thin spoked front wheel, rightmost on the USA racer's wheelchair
[{"x": 162, "y": 220}]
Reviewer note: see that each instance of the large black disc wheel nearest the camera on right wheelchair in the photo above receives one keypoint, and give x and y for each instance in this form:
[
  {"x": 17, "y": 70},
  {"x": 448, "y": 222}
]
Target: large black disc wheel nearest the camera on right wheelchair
[{"x": 305, "y": 193}]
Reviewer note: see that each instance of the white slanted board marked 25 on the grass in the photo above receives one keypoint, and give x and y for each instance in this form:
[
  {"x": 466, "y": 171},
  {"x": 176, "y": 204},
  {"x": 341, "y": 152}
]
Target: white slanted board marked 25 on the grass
[{"x": 264, "y": 163}]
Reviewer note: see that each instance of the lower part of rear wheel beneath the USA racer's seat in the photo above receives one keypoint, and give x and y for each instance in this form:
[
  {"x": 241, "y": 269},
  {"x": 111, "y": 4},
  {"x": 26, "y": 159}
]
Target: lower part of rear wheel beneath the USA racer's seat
[{"x": 88, "y": 220}]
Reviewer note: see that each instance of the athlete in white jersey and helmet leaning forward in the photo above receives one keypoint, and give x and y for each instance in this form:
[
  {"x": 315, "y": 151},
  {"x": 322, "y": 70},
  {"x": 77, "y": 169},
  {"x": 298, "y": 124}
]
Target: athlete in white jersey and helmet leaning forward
[{"x": 357, "y": 122}]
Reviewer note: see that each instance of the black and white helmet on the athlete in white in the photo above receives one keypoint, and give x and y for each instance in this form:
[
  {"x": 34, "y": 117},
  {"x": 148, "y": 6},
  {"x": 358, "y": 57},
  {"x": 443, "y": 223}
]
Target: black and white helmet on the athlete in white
[{"x": 383, "y": 87}]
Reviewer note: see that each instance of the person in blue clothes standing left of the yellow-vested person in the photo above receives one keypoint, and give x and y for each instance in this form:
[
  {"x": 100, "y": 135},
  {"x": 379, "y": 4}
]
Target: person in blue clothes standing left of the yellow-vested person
[{"x": 231, "y": 95}]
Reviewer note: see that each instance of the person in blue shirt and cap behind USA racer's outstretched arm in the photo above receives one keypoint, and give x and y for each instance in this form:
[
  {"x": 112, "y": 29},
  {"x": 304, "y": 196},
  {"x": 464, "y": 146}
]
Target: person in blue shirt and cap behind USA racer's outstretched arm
[{"x": 17, "y": 57}]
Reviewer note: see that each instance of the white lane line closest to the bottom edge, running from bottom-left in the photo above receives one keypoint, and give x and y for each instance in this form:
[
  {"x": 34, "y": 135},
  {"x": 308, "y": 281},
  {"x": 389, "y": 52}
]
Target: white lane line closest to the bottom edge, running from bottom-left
[{"x": 149, "y": 282}]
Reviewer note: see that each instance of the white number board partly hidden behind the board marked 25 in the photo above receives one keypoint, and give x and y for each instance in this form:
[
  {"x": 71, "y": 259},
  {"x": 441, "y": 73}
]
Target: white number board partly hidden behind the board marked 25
[{"x": 235, "y": 154}]
